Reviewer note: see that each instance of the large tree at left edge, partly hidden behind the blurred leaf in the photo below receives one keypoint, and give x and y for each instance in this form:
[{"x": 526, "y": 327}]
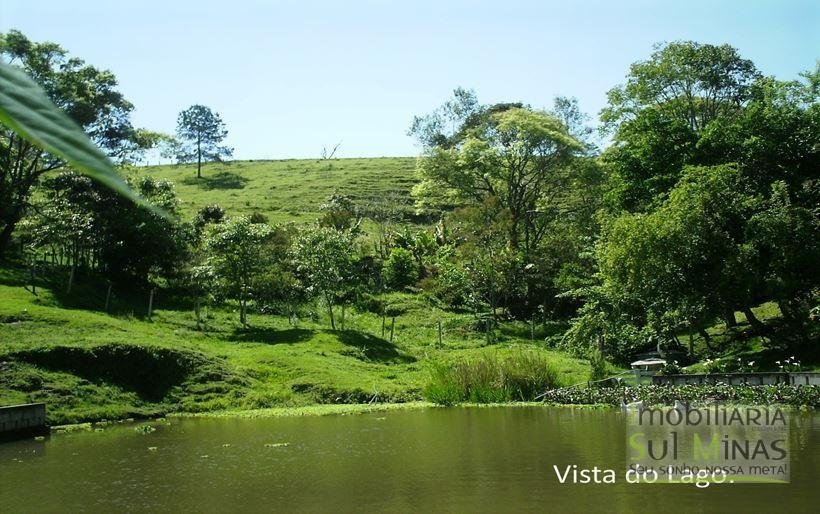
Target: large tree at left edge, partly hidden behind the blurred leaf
[{"x": 86, "y": 94}]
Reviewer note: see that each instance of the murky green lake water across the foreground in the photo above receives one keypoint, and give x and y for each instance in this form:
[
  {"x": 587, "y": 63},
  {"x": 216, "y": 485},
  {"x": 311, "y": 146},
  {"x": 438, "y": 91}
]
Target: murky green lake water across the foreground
[{"x": 441, "y": 460}]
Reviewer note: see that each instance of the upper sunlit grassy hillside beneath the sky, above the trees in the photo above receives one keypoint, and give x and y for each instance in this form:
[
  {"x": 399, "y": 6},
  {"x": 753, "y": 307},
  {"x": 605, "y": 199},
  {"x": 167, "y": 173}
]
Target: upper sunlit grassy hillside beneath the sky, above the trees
[{"x": 290, "y": 190}]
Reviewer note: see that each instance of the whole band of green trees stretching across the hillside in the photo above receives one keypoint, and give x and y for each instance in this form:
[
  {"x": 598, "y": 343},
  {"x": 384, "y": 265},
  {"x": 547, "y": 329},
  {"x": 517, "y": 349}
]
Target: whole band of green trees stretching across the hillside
[{"x": 697, "y": 196}]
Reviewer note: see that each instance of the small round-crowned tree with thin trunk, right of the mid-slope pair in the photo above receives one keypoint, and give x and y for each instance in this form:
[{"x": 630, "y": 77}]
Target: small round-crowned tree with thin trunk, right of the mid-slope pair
[{"x": 324, "y": 259}]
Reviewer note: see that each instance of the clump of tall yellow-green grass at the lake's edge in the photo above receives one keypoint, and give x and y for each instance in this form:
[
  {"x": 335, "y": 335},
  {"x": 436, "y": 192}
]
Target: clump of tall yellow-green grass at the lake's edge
[{"x": 488, "y": 379}]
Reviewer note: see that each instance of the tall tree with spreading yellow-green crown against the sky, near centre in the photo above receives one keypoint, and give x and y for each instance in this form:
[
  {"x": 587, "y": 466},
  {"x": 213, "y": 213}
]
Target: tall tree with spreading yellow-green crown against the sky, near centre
[{"x": 513, "y": 154}]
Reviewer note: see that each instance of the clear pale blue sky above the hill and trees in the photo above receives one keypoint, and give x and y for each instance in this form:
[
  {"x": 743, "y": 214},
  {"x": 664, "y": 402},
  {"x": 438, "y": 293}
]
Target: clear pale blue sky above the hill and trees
[{"x": 290, "y": 77}]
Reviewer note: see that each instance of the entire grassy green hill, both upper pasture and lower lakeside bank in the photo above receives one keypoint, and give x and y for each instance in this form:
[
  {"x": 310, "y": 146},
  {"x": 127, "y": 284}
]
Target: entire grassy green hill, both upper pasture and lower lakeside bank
[{"x": 89, "y": 364}]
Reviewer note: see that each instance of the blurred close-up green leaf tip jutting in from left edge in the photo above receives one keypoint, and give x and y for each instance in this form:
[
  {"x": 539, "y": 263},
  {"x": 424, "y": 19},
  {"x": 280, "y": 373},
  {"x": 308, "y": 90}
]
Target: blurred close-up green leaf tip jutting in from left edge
[{"x": 26, "y": 109}]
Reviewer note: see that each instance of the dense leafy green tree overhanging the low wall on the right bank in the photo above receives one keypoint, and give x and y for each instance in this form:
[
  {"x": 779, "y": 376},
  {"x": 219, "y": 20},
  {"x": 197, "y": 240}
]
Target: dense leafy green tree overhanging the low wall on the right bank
[{"x": 715, "y": 246}]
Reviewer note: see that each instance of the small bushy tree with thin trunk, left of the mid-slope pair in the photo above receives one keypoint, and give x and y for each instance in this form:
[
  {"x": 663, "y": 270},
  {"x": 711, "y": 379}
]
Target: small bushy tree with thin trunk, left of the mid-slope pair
[{"x": 238, "y": 251}]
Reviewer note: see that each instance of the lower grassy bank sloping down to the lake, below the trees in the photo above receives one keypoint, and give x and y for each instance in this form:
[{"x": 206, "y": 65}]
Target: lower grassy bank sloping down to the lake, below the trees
[{"x": 87, "y": 364}]
